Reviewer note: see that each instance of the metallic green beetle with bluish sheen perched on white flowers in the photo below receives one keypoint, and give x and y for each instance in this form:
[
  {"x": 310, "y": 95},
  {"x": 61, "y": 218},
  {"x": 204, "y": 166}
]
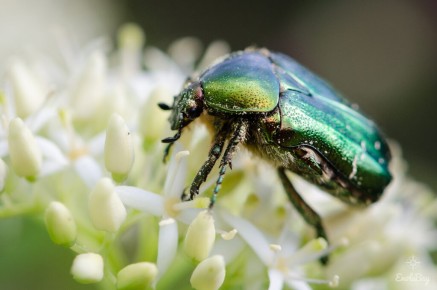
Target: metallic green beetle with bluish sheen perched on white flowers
[{"x": 285, "y": 114}]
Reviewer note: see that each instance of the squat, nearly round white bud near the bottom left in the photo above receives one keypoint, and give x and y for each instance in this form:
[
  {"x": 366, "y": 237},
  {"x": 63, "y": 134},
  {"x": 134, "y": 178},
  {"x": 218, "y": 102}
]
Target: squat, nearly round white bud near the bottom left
[{"x": 87, "y": 268}]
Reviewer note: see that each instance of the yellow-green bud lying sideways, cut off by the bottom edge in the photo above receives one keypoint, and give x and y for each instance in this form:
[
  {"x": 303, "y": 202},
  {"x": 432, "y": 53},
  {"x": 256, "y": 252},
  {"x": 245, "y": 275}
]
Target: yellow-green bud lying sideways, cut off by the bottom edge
[{"x": 137, "y": 276}]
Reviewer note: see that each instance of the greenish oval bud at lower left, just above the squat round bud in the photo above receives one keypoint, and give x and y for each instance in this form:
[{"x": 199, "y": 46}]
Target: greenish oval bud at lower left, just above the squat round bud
[{"x": 60, "y": 224}]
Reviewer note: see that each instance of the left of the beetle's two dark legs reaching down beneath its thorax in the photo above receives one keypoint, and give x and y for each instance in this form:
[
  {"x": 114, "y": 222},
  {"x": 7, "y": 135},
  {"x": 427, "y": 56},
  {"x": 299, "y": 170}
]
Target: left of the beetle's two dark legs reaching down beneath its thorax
[{"x": 214, "y": 154}]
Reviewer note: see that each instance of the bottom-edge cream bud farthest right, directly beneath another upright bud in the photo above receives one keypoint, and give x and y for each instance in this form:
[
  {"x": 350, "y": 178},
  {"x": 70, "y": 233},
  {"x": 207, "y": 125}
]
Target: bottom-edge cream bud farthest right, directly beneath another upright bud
[{"x": 209, "y": 274}]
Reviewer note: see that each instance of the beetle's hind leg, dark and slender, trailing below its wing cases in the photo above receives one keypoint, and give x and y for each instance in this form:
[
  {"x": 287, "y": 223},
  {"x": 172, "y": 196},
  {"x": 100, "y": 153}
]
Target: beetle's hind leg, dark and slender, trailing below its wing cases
[{"x": 310, "y": 216}]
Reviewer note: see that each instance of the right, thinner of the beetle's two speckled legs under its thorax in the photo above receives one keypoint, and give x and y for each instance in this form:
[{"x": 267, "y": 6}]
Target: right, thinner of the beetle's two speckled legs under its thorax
[{"x": 237, "y": 137}]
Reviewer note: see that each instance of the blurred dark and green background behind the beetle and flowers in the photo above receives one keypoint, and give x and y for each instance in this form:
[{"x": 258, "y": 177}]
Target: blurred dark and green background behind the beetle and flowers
[{"x": 380, "y": 54}]
